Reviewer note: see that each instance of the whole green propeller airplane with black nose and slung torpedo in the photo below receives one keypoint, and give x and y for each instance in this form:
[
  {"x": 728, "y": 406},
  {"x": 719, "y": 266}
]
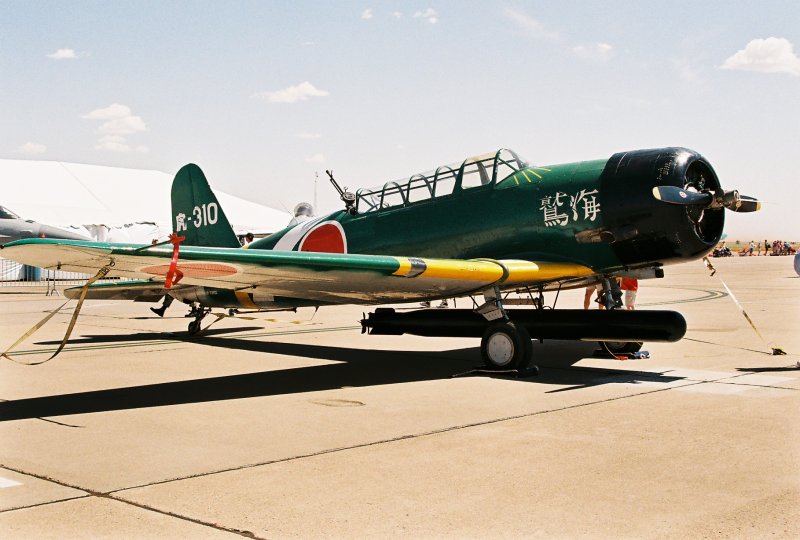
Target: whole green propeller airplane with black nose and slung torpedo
[{"x": 485, "y": 227}]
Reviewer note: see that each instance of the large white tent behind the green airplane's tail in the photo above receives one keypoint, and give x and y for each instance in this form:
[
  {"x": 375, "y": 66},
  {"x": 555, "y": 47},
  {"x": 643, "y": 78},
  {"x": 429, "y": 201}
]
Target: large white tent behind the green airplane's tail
[{"x": 112, "y": 204}]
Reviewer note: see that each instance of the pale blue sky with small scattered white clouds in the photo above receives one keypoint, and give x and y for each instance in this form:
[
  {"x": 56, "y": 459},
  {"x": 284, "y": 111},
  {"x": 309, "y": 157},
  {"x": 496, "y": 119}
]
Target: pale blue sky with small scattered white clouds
[{"x": 263, "y": 95}]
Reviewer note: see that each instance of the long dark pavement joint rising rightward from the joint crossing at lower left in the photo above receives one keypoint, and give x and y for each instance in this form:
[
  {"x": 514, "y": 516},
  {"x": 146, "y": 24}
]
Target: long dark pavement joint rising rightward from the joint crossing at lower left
[{"x": 399, "y": 438}]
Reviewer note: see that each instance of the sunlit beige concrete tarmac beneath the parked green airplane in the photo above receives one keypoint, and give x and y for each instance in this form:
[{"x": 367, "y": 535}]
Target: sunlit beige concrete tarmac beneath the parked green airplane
[{"x": 296, "y": 425}]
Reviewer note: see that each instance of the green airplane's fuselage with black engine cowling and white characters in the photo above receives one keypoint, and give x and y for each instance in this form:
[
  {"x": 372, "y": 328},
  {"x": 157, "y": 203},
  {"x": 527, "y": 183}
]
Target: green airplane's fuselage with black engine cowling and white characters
[{"x": 599, "y": 213}]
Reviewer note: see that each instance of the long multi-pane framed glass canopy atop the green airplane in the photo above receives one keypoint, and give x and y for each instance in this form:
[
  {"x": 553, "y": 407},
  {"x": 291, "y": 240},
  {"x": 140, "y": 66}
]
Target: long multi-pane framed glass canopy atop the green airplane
[{"x": 473, "y": 172}]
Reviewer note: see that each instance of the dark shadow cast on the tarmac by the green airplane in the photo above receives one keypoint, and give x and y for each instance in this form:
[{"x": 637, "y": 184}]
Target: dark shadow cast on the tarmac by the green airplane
[{"x": 353, "y": 367}]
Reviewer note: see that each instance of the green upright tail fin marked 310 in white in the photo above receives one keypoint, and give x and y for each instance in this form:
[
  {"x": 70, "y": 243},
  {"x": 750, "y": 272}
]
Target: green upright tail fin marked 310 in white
[{"x": 196, "y": 212}]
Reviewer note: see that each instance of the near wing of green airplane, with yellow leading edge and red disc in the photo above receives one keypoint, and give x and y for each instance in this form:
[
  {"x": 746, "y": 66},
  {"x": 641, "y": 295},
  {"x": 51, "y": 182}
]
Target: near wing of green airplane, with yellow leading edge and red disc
[{"x": 323, "y": 277}]
